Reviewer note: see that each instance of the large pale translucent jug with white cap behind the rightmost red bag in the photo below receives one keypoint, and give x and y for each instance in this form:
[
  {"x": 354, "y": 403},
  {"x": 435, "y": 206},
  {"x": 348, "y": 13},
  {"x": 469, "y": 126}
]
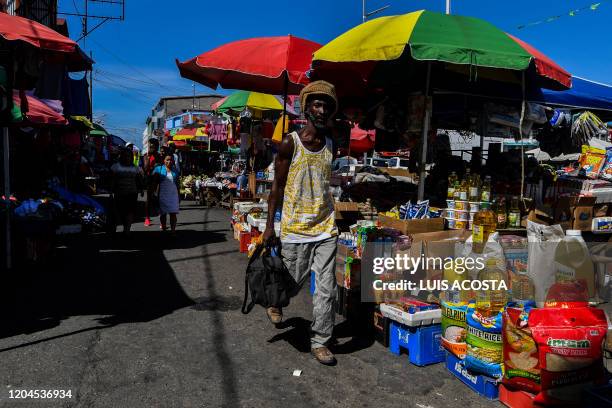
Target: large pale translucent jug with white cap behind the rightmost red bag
[{"x": 573, "y": 261}]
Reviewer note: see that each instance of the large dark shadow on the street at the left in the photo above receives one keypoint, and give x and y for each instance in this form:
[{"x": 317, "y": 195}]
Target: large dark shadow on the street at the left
[{"x": 127, "y": 279}]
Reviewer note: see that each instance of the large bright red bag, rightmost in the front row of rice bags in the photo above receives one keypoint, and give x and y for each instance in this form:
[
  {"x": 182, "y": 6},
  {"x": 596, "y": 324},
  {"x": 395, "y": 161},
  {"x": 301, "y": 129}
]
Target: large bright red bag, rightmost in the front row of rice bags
[{"x": 569, "y": 345}]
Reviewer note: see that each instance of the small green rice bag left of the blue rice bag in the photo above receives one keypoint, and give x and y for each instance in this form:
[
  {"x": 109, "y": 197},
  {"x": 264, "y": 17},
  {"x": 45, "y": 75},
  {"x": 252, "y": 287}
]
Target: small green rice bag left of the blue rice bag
[{"x": 454, "y": 328}]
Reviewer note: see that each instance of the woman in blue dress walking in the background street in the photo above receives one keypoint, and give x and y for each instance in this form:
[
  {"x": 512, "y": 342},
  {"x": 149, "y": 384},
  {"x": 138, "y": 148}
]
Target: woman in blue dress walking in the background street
[{"x": 168, "y": 192}]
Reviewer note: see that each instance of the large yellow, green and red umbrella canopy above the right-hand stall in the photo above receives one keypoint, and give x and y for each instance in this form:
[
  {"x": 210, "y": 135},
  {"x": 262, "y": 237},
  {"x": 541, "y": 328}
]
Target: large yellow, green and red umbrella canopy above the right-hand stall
[{"x": 431, "y": 36}]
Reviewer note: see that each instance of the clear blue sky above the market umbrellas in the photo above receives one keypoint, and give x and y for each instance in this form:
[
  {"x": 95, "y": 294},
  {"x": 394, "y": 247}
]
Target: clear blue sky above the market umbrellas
[{"x": 135, "y": 58}]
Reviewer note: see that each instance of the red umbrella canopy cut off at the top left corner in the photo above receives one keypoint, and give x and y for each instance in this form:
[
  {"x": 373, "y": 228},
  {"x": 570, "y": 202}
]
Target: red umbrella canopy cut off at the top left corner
[{"x": 15, "y": 28}]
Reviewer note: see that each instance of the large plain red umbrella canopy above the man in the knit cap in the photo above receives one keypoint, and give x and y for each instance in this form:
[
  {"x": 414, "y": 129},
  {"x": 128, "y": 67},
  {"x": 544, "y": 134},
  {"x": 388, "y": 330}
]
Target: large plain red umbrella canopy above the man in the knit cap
[{"x": 274, "y": 65}]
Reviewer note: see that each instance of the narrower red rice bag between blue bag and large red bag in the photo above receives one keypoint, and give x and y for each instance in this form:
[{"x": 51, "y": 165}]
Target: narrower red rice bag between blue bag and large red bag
[{"x": 521, "y": 364}]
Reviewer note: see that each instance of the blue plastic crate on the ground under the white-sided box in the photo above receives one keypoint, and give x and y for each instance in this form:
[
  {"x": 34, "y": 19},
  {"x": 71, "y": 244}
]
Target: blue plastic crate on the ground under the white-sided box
[{"x": 423, "y": 343}]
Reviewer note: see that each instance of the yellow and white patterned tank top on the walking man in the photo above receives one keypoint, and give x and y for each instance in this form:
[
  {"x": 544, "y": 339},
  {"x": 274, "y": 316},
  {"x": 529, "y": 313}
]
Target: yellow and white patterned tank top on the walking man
[{"x": 308, "y": 205}]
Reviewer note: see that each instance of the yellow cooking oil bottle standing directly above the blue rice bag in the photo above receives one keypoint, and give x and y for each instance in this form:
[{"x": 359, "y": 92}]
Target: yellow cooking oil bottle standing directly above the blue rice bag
[{"x": 490, "y": 302}]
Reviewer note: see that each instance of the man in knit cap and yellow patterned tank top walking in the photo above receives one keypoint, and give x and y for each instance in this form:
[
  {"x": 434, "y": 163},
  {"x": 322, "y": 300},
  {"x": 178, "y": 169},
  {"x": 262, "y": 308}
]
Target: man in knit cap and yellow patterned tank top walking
[{"x": 308, "y": 229}]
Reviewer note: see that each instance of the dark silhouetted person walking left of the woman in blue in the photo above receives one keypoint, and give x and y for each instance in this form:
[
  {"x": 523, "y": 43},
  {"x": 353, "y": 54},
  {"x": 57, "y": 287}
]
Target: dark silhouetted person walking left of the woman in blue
[{"x": 127, "y": 181}]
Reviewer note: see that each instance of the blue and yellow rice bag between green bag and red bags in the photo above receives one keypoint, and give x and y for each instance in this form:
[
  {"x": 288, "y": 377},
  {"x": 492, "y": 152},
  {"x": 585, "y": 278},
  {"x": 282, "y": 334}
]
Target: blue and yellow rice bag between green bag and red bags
[{"x": 484, "y": 343}]
